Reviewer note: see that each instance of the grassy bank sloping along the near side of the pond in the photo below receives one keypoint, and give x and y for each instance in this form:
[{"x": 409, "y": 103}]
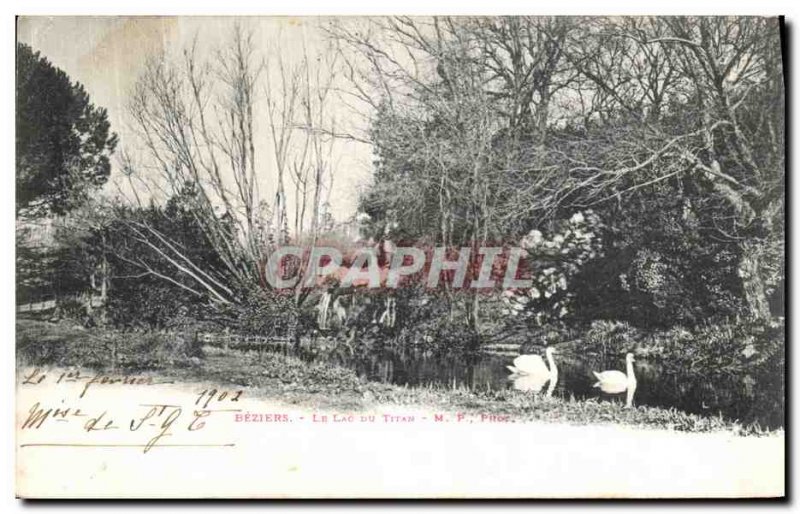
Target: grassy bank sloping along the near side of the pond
[{"x": 293, "y": 381}]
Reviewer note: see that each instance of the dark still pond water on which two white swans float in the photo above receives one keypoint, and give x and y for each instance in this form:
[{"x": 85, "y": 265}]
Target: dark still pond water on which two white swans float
[{"x": 746, "y": 398}]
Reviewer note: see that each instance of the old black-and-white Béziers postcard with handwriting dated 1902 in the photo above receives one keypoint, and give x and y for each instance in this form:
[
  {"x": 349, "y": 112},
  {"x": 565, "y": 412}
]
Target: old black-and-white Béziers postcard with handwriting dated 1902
[{"x": 400, "y": 257}]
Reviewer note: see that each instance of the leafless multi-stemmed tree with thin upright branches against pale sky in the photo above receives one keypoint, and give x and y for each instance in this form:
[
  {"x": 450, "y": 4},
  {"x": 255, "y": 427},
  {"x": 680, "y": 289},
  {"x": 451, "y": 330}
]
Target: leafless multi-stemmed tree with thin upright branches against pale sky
[{"x": 196, "y": 122}]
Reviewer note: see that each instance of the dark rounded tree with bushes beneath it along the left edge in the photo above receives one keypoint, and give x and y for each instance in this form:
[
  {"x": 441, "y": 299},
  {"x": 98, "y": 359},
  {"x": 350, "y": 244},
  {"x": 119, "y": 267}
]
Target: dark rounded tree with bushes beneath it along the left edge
[{"x": 63, "y": 146}]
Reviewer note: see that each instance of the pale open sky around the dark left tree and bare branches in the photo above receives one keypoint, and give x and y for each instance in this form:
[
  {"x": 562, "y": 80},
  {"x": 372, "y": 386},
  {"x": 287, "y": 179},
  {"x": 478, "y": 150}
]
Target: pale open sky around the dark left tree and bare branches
[{"x": 108, "y": 54}]
